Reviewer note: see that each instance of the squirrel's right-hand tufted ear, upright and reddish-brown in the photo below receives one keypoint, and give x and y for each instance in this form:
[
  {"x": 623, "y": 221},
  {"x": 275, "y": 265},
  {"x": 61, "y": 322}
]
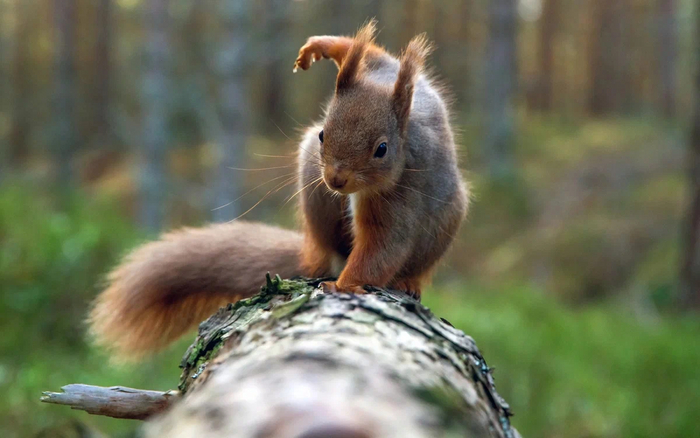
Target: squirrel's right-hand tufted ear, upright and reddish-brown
[{"x": 412, "y": 61}]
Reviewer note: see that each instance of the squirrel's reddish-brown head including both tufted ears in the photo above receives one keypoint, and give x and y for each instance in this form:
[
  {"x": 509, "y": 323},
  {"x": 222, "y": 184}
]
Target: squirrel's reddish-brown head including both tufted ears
[{"x": 363, "y": 137}]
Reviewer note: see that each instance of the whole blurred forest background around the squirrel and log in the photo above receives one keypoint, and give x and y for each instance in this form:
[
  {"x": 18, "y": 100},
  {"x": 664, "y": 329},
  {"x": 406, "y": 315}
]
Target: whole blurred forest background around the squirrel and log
[{"x": 577, "y": 271}]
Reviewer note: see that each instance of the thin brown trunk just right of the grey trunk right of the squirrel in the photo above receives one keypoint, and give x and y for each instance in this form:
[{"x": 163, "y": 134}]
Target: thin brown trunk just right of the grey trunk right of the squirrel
[{"x": 548, "y": 29}]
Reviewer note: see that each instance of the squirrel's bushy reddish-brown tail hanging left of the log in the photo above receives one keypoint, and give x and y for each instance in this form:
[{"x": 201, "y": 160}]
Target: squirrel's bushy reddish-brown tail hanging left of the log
[{"x": 165, "y": 287}]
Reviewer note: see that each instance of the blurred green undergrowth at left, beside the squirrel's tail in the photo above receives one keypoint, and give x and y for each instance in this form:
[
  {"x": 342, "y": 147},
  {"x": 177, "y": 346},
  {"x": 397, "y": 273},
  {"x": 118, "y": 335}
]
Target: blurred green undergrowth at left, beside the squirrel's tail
[{"x": 52, "y": 256}]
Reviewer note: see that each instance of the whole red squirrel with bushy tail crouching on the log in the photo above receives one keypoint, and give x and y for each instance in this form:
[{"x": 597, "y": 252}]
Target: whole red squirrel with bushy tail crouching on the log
[{"x": 392, "y": 202}]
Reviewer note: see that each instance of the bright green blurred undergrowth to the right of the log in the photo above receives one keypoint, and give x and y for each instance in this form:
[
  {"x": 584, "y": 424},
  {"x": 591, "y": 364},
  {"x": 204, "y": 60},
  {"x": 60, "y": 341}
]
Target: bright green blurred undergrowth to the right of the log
[{"x": 591, "y": 372}]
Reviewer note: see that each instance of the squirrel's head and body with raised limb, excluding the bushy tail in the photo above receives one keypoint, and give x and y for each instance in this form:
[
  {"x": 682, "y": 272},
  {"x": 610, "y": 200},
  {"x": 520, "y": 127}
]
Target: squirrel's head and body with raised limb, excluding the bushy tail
[{"x": 373, "y": 105}]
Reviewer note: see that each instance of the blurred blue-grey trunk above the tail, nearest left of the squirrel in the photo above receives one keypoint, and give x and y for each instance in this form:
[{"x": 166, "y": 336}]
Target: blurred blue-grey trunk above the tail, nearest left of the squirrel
[{"x": 229, "y": 57}]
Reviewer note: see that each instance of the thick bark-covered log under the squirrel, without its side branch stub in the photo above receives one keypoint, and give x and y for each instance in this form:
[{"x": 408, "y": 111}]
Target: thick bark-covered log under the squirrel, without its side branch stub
[{"x": 294, "y": 362}]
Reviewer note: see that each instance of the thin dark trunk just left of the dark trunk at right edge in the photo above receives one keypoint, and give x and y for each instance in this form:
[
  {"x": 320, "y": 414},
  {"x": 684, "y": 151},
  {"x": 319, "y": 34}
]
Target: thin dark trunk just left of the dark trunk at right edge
[{"x": 667, "y": 50}]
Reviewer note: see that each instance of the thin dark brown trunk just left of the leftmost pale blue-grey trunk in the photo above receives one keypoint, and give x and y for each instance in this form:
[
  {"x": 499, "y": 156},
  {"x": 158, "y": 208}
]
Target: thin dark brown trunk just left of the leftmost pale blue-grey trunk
[{"x": 103, "y": 65}]
